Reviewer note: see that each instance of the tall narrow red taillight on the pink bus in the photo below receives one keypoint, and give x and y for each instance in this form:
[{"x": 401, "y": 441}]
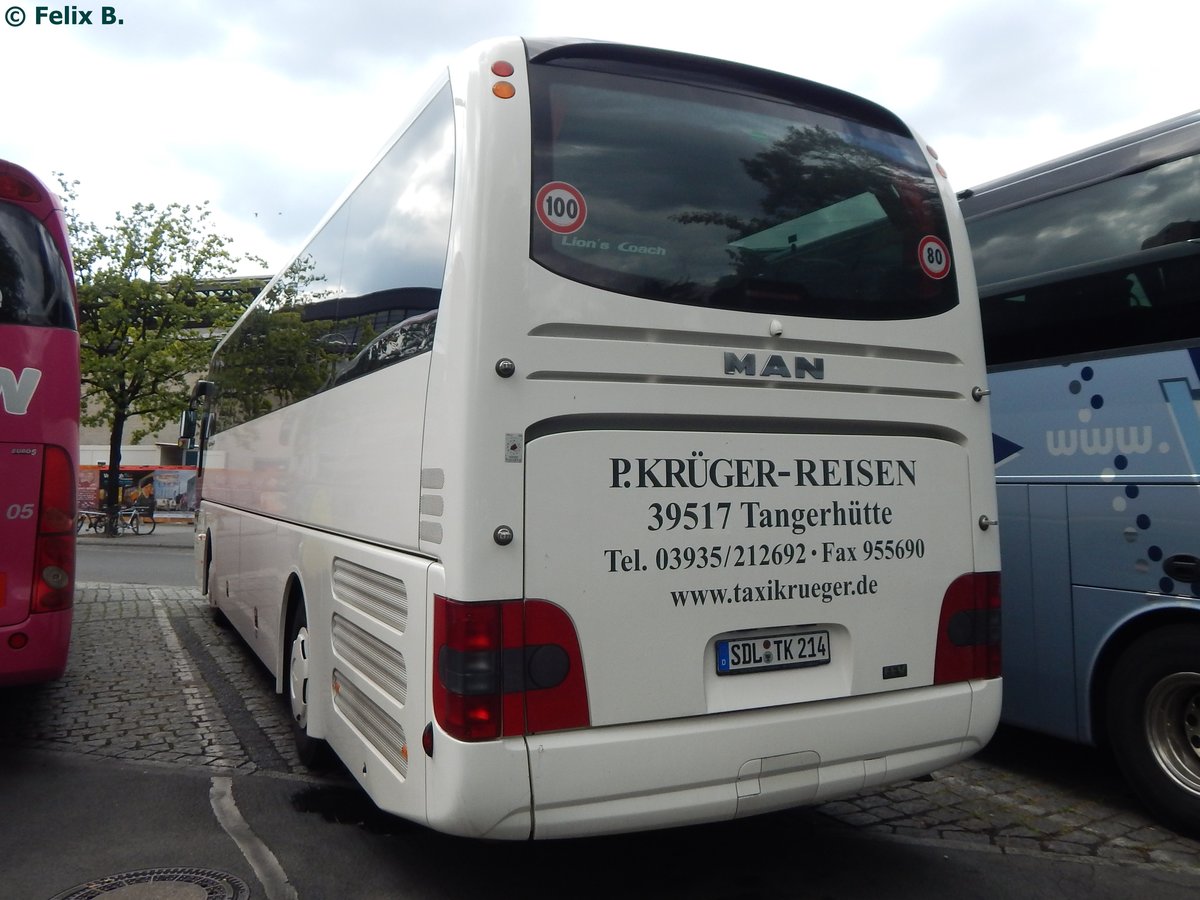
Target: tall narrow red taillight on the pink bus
[{"x": 55, "y": 555}]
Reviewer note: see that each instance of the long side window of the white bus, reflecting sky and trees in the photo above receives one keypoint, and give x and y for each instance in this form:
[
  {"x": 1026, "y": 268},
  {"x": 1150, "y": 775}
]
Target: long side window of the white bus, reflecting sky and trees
[{"x": 340, "y": 308}]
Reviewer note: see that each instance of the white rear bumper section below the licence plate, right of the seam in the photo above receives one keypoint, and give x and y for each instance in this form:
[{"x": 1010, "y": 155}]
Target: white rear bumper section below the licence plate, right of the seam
[{"x": 722, "y": 767}]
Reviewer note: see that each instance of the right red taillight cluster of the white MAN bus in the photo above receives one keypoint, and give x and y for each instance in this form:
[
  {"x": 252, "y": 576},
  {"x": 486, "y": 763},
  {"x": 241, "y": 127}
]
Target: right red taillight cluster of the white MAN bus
[{"x": 969, "y": 629}]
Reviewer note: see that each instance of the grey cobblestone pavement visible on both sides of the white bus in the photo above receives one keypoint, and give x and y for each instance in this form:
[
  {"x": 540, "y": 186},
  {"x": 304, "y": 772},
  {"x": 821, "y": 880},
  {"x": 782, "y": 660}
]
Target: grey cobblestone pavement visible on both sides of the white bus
[{"x": 153, "y": 677}]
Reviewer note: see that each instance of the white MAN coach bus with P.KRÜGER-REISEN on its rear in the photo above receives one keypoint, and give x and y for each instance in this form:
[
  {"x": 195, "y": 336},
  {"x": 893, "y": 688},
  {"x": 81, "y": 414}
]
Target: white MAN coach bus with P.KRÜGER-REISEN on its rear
[{"x": 616, "y": 455}]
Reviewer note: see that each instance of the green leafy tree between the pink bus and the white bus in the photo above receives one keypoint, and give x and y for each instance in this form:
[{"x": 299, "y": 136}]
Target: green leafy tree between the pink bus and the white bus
[{"x": 157, "y": 290}]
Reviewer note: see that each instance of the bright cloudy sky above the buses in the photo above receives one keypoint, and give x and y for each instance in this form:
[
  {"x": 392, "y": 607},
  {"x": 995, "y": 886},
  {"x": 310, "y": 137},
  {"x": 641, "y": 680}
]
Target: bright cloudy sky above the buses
[{"x": 268, "y": 109}]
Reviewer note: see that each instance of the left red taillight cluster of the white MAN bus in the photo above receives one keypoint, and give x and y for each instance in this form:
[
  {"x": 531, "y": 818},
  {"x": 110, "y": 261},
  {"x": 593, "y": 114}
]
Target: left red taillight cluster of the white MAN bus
[{"x": 506, "y": 668}]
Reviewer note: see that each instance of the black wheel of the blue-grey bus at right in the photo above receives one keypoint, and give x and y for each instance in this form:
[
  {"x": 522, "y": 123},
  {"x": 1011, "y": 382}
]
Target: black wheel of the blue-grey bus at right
[{"x": 1154, "y": 719}]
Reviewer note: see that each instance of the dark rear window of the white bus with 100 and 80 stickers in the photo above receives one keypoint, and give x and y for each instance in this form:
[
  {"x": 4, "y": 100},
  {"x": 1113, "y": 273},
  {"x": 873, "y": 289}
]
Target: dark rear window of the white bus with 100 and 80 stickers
[{"x": 716, "y": 195}]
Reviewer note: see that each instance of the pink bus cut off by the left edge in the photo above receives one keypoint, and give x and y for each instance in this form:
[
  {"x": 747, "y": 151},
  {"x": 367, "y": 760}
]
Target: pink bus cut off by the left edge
[{"x": 39, "y": 430}]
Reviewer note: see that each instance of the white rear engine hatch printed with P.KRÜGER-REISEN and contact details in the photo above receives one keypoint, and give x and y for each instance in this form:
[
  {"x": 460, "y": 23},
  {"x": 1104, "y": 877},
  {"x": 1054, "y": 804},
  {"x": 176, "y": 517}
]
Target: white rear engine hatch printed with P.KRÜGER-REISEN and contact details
[{"x": 655, "y": 575}]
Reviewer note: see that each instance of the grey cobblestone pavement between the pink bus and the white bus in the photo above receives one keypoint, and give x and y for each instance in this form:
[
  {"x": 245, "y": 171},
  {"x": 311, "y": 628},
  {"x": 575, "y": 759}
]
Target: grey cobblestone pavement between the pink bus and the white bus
[{"x": 153, "y": 677}]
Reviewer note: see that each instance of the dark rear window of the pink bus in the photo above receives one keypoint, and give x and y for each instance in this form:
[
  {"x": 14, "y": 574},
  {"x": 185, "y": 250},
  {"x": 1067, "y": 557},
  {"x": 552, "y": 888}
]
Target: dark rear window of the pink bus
[{"x": 35, "y": 287}]
